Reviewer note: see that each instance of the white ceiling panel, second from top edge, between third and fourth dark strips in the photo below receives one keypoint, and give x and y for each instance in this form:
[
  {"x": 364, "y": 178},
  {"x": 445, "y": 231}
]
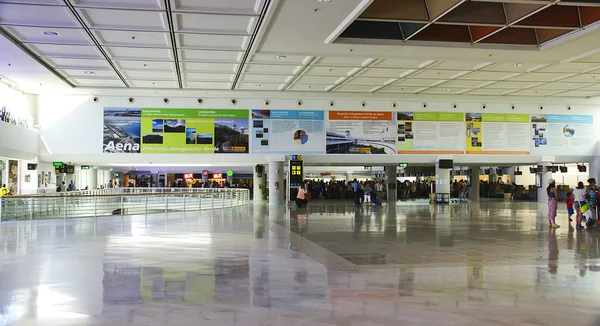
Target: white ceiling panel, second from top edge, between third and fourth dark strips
[{"x": 214, "y": 24}]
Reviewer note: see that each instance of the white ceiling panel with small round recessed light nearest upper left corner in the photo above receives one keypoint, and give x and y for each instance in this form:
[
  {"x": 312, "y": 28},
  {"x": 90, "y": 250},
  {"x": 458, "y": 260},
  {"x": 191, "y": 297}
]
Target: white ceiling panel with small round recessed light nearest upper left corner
[{"x": 30, "y": 34}]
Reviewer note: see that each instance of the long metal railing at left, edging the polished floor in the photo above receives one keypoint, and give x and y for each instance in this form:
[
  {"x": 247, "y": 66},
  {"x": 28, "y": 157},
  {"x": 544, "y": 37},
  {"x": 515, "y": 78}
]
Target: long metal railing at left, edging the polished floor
[{"x": 71, "y": 205}]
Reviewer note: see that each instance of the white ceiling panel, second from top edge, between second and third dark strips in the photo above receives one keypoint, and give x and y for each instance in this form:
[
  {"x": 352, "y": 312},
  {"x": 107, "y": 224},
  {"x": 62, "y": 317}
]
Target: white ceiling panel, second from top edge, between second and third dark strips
[{"x": 124, "y": 19}]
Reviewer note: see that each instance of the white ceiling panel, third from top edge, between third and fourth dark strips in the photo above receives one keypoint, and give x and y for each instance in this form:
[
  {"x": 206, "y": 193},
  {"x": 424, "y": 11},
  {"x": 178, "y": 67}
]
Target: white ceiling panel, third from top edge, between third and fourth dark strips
[{"x": 212, "y": 42}]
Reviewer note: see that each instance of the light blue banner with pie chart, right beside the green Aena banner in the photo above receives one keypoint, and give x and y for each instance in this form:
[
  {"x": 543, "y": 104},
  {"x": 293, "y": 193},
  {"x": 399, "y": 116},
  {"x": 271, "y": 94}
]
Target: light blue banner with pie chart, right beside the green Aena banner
[{"x": 288, "y": 131}]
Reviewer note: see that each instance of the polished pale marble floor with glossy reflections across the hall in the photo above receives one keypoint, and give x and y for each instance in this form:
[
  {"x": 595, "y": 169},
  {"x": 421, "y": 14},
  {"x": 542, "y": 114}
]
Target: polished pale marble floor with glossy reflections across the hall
[{"x": 488, "y": 263}]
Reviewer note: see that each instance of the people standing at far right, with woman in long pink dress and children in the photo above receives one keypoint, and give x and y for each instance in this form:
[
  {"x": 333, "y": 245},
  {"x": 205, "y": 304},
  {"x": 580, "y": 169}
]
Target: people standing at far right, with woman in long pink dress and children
[{"x": 581, "y": 202}]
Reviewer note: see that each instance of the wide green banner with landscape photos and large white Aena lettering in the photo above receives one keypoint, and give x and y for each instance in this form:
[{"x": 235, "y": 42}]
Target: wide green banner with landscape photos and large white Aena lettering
[{"x": 170, "y": 131}]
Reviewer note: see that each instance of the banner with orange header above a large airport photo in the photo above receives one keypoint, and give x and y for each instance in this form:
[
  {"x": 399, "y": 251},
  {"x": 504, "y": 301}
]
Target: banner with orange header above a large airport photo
[{"x": 357, "y": 132}]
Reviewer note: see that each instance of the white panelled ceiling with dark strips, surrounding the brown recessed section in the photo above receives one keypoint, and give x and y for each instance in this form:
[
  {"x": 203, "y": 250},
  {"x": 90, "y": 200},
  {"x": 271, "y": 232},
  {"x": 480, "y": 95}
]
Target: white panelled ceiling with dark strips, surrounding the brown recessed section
[{"x": 207, "y": 45}]
